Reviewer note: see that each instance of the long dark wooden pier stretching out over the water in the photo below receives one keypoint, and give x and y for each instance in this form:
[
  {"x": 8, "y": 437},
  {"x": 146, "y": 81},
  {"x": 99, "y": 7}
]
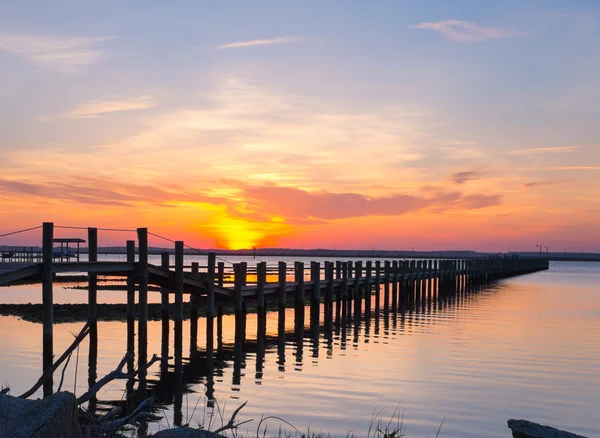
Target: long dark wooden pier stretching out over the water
[{"x": 346, "y": 286}]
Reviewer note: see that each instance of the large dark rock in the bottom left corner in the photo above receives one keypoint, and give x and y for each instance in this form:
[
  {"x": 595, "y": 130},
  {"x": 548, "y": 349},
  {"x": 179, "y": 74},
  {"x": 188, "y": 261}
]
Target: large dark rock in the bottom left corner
[{"x": 52, "y": 417}]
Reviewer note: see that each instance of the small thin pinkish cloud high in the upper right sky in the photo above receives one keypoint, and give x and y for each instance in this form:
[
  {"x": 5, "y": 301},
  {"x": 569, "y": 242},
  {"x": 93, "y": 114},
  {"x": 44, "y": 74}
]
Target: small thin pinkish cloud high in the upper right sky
[{"x": 466, "y": 32}]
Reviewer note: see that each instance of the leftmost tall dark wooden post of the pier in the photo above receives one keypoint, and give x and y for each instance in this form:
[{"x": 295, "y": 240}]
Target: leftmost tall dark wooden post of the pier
[{"x": 47, "y": 300}]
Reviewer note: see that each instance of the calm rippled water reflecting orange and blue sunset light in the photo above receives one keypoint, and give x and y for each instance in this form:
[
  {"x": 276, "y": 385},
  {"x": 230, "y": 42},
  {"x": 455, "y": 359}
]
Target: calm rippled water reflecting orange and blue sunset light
[{"x": 526, "y": 347}]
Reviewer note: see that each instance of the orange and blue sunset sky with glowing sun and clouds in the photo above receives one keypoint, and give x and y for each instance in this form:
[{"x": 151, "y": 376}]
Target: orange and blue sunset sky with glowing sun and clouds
[{"x": 340, "y": 124}]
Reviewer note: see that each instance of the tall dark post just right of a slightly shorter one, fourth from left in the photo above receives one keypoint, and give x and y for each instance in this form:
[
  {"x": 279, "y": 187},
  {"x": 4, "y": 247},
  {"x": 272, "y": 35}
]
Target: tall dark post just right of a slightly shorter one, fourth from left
[{"x": 143, "y": 307}]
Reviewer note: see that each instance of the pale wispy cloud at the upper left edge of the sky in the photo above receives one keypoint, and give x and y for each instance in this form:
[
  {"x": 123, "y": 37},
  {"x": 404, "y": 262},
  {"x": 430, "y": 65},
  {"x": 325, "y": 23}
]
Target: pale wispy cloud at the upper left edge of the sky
[{"x": 62, "y": 54}]
